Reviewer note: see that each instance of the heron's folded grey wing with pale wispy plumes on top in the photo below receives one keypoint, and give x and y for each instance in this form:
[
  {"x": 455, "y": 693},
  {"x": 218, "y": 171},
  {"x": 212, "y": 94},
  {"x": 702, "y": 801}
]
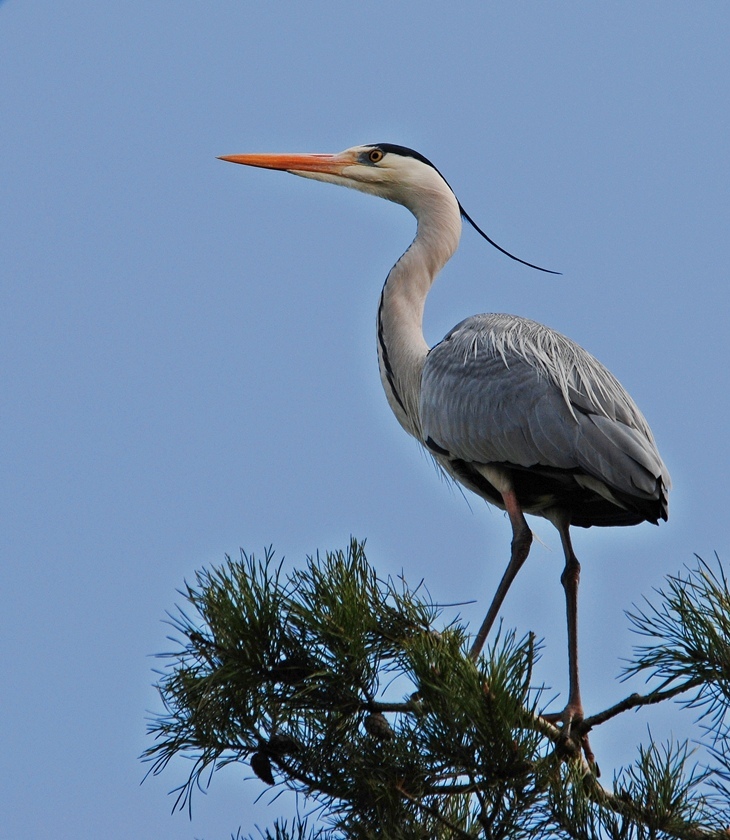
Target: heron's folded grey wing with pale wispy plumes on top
[{"x": 505, "y": 390}]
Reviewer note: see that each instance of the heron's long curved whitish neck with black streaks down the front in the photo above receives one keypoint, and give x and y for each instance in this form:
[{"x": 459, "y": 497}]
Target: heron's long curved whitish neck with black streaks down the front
[{"x": 402, "y": 348}]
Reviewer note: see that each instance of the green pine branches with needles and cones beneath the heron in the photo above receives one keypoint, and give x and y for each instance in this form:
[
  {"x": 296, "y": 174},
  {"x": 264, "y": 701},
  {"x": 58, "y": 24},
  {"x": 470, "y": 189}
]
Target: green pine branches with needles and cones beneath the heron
[{"x": 349, "y": 690}]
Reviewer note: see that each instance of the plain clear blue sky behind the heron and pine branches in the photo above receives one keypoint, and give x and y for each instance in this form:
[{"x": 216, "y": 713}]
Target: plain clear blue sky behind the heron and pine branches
[{"x": 188, "y": 347}]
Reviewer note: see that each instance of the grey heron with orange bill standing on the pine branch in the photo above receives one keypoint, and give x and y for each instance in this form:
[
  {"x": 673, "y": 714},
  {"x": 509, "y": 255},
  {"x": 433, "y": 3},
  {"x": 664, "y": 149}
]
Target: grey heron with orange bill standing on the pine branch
[{"x": 514, "y": 411}]
